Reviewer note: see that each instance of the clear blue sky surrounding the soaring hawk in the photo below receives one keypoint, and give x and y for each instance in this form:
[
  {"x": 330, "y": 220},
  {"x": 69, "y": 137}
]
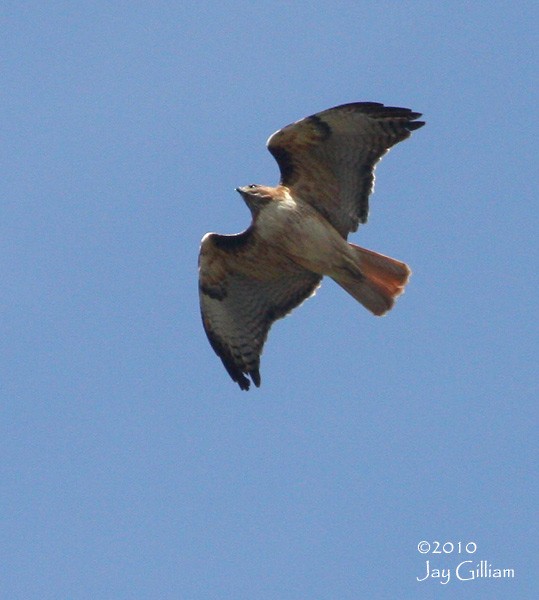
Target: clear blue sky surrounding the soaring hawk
[{"x": 132, "y": 467}]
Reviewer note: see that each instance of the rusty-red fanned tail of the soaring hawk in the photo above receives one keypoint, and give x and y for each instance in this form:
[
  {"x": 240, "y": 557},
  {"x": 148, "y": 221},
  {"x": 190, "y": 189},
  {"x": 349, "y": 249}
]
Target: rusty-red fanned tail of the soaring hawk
[{"x": 377, "y": 282}]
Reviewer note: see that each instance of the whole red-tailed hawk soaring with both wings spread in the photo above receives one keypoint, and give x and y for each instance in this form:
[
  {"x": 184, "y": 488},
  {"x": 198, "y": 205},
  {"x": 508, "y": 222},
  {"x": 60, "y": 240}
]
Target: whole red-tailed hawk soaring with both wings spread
[{"x": 298, "y": 232}]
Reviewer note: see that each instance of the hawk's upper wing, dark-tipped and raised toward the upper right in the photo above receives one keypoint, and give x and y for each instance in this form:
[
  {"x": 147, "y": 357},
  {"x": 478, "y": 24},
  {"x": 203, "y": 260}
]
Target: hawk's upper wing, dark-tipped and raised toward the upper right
[{"x": 328, "y": 159}]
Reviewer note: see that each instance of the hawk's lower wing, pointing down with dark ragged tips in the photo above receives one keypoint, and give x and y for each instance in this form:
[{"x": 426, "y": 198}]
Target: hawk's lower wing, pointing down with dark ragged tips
[{"x": 243, "y": 289}]
